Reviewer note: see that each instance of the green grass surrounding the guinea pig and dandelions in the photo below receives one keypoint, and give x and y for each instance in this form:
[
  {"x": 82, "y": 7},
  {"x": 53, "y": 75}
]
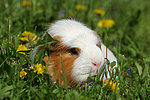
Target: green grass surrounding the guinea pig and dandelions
[{"x": 129, "y": 39}]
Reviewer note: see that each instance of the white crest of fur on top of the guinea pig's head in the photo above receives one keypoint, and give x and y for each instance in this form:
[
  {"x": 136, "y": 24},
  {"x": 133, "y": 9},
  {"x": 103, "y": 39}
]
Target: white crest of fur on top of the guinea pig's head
[{"x": 68, "y": 30}]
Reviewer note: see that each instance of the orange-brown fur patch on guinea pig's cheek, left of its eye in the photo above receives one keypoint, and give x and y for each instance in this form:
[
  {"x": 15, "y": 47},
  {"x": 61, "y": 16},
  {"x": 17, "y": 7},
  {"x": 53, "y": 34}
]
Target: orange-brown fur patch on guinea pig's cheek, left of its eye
[{"x": 58, "y": 51}]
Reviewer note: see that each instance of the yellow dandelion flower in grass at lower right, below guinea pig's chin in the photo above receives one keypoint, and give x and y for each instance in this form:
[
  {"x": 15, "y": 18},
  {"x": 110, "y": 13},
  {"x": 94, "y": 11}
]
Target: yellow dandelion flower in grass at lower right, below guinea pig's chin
[{"x": 111, "y": 84}]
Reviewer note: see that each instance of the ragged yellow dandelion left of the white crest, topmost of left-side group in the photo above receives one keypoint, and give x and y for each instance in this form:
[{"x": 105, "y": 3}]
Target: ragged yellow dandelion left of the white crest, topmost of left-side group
[{"x": 28, "y": 36}]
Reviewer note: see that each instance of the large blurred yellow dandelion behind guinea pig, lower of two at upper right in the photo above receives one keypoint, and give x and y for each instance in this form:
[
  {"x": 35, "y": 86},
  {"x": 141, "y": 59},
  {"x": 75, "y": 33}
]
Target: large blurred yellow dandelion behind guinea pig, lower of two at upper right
[{"x": 106, "y": 23}]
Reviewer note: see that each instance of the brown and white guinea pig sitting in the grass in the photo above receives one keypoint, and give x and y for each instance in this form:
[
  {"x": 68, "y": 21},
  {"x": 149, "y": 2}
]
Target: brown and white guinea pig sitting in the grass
[{"x": 80, "y": 48}]
